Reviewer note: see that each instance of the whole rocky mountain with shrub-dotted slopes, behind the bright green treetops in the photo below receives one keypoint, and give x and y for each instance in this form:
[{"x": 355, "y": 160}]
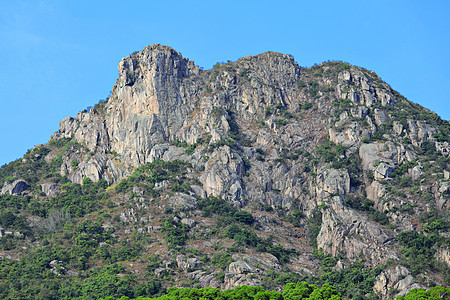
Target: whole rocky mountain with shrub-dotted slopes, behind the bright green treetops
[{"x": 256, "y": 172}]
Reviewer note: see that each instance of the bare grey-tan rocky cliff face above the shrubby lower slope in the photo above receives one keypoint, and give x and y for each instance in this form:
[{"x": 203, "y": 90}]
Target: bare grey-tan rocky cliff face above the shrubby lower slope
[{"x": 266, "y": 134}]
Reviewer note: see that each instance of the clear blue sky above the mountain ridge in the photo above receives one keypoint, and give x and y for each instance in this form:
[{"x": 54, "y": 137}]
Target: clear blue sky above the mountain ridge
[{"x": 58, "y": 57}]
